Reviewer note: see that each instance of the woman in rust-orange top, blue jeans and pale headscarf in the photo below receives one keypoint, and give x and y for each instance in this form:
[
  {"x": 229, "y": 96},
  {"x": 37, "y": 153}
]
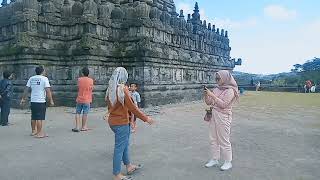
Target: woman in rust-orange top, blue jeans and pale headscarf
[{"x": 119, "y": 104}]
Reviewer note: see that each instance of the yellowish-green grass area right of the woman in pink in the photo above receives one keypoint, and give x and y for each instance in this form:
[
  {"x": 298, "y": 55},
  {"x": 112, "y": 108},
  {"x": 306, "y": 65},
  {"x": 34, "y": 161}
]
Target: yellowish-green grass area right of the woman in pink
[{"x": 298, "y": 108}]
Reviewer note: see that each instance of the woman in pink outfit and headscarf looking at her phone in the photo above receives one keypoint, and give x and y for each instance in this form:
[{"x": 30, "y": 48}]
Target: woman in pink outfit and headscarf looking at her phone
[{"x": 221, "y": 99}]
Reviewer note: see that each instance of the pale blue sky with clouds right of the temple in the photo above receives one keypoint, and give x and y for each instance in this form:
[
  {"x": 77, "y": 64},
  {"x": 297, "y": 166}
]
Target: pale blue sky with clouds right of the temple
[{"x": 270, "y": 36}]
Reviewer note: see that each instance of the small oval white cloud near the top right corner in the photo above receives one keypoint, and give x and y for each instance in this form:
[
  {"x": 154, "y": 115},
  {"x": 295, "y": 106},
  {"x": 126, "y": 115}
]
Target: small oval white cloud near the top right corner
[{"x": 279, "y": 13}]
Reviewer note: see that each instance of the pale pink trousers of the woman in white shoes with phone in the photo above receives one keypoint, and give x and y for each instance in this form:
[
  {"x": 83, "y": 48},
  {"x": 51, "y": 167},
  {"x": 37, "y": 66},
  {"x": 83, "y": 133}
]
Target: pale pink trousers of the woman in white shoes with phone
[{"x": 219, "y": 135}]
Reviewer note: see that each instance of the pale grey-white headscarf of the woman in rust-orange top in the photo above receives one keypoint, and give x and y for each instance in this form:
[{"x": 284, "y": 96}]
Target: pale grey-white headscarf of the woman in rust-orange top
[{"x": 116, "y": 85}]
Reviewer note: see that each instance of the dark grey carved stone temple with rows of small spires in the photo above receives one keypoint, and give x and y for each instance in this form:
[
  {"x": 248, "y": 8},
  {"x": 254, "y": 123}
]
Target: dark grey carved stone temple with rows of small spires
[{"x": 169, "y": 54}]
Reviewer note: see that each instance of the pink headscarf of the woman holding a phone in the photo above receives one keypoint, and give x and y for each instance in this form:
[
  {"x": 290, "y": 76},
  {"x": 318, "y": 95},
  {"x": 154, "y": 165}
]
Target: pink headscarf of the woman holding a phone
[{"x": 228, "y": 82}]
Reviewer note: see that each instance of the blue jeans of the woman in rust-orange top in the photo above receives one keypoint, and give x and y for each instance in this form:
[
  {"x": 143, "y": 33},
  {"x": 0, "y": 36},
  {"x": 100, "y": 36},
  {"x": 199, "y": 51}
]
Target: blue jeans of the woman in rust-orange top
[{"x": 121, "y": 147}]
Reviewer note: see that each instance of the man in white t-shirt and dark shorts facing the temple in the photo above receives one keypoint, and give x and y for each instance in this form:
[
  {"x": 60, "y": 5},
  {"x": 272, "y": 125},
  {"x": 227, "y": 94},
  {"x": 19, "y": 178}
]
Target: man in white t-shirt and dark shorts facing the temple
[{"x": 40, "y": 89}]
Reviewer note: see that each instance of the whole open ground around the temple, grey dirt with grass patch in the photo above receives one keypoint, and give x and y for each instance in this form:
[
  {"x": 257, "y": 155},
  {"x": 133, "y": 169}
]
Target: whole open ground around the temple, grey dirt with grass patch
[{"x": 275, "y": 136}]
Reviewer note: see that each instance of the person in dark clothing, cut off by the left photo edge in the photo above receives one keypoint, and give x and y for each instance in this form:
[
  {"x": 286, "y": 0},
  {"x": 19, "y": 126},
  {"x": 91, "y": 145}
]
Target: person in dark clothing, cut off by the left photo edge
[{"x": 5, "y": 97}]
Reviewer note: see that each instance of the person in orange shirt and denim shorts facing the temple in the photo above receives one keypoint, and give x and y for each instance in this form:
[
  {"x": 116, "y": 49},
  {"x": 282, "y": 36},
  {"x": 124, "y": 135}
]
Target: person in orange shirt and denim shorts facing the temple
[{"x": 84, "y": 99}]
